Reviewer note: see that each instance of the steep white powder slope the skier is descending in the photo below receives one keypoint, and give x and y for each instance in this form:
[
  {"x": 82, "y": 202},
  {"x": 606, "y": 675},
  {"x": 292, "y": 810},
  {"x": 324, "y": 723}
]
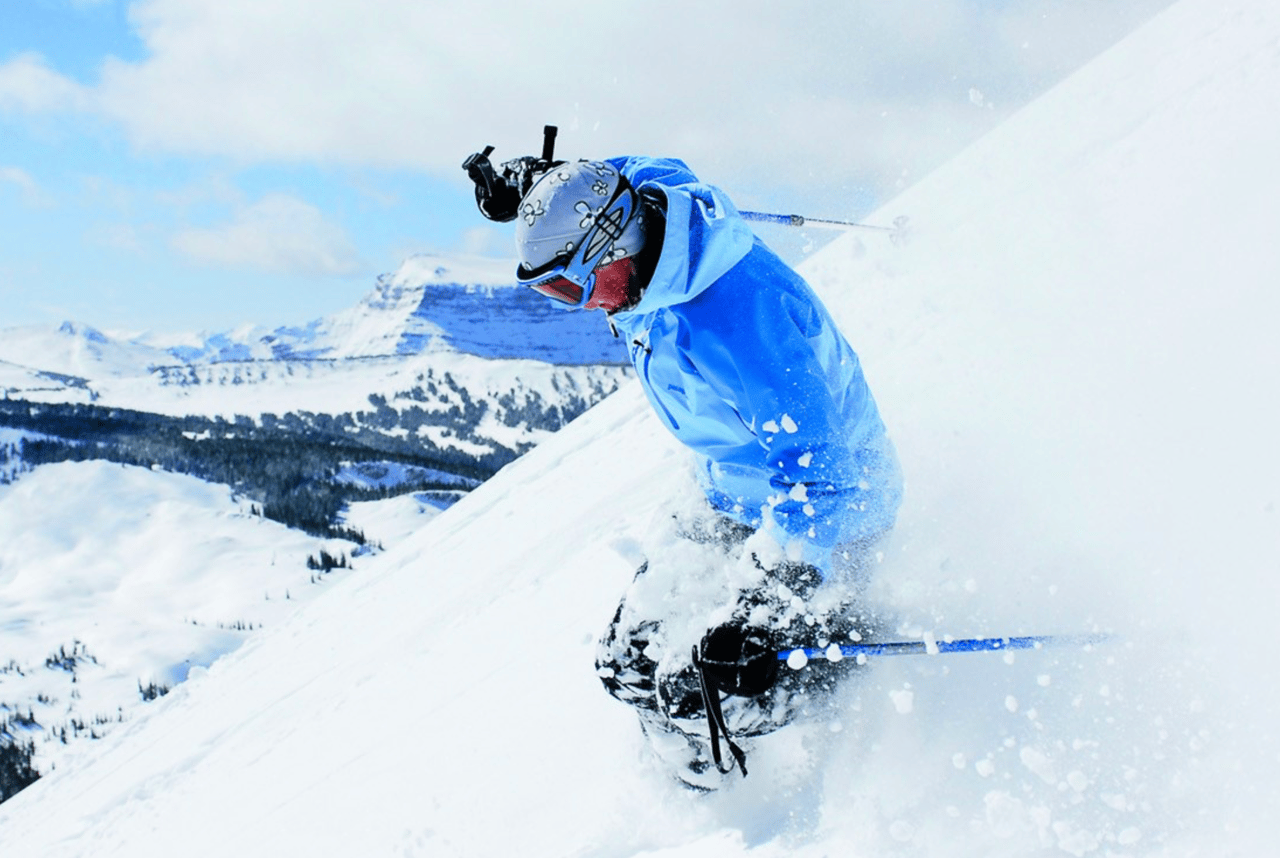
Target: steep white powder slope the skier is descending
[{"x": 1076, "y": 357}]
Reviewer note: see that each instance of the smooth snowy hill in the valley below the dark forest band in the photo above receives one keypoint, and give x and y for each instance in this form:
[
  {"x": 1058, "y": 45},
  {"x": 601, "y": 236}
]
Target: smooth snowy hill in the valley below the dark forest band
[{"x": 129, "y": 578}]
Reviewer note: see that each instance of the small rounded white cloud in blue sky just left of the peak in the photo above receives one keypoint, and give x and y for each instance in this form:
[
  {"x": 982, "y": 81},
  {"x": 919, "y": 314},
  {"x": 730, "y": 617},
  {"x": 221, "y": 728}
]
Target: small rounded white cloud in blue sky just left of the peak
[{"x": 278, "y": 234}]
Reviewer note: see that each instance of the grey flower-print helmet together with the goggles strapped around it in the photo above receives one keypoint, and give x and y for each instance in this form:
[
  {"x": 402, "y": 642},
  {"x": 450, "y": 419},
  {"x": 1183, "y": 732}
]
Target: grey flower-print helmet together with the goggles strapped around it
[{"x": 575, "y": 220}]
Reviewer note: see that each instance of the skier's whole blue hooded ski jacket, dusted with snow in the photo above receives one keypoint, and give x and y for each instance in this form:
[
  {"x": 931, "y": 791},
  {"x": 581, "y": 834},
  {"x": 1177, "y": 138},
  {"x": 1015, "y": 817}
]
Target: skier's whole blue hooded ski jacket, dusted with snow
[{"x": 744, "y": 364}]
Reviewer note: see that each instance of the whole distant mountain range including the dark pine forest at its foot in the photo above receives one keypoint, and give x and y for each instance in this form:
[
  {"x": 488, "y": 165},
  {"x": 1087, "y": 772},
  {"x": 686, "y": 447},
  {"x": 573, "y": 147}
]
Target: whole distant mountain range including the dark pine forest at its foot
[{"x": 446, "y": 372}]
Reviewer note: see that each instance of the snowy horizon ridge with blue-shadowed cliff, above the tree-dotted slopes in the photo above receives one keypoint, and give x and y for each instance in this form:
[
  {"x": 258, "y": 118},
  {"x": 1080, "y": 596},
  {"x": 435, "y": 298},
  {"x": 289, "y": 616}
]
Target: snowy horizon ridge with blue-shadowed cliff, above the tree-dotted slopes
[{"x": 431, "y": 304}]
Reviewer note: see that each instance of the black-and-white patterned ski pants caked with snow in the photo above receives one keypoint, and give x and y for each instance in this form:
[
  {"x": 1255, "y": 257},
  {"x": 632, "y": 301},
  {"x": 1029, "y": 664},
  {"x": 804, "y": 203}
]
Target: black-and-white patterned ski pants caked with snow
[{"x": 644, "y": 658}]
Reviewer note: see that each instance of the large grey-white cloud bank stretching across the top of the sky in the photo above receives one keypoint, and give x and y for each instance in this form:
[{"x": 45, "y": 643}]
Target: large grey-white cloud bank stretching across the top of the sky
[{"x": 810, "y": 97}]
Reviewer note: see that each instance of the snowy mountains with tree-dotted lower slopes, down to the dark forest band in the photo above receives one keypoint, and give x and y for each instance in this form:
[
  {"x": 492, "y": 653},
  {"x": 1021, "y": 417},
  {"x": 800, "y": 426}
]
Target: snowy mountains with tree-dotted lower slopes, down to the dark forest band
[{"x": 444, "y": 337}]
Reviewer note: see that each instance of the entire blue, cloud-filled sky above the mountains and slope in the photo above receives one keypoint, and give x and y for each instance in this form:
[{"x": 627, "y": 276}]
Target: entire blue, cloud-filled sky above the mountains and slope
[{"x": 198, "y": 165}]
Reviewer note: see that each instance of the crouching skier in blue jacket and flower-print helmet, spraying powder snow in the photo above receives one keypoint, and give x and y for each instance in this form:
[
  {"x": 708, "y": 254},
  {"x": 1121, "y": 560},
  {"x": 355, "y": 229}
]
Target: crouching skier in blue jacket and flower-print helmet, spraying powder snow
[{"x": 743, "y": 363}]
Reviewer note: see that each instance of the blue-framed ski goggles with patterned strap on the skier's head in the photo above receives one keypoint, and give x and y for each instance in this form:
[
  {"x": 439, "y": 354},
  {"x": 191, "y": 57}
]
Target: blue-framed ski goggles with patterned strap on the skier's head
[{"x": 570, "y": 277}]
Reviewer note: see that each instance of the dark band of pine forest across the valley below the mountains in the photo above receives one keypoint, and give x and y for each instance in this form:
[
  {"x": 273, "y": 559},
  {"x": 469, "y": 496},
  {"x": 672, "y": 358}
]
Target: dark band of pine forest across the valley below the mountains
[{"x": 287, "y": 464}]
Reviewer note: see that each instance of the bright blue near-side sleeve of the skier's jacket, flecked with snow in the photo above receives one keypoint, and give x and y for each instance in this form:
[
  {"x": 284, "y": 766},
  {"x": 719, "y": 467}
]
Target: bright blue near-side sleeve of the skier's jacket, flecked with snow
[{"x": 776, "y": 358}]
